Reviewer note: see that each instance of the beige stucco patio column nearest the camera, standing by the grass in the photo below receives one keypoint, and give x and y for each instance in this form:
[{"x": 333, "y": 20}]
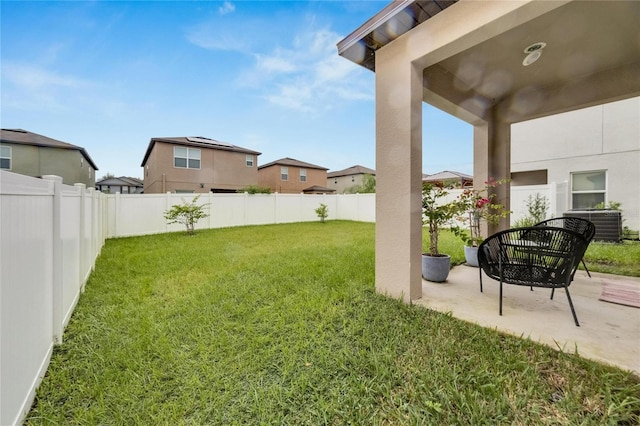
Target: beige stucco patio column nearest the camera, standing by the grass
[{"x": 398, "y": 176}]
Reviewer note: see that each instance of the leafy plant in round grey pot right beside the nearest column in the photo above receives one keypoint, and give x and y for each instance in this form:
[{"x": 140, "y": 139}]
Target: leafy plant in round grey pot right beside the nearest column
[{"x": 437, "y": 212}]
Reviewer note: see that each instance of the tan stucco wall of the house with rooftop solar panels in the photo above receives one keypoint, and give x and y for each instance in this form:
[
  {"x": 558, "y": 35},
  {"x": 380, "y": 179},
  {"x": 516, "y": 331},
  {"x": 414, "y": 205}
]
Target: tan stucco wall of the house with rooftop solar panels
[{"x": 220, "y": 170}]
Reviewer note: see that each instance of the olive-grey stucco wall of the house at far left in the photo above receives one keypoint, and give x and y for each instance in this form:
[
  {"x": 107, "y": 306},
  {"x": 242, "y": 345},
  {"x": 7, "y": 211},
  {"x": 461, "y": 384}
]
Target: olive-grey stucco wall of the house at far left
[{"x": 38, "y": 161}]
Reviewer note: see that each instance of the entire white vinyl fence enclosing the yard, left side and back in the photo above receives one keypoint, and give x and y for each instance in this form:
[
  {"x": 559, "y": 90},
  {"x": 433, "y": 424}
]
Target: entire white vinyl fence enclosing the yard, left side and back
[{"x": 51, "y": 235}]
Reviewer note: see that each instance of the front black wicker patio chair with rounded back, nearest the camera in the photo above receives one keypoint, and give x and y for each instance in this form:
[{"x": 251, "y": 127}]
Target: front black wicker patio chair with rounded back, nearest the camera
[{"x": 534, "y": 256}]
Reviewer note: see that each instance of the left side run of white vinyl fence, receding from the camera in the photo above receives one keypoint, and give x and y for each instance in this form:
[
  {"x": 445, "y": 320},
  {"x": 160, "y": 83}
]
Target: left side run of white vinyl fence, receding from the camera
[{"x": 51, "y": 235}]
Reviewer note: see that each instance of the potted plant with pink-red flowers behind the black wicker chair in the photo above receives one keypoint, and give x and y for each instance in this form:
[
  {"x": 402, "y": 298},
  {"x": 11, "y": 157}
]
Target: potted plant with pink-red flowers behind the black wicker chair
[{"x": 477, "y": 205}]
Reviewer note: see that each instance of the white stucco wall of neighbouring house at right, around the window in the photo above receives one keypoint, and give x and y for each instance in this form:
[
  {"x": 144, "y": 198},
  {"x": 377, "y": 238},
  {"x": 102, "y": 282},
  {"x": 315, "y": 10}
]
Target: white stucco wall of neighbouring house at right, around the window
[{"x": 604, "y": 137}]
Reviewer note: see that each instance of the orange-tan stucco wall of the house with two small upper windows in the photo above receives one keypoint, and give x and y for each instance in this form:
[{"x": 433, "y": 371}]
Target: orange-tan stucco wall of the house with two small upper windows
[{"x": 270, "y": 177}]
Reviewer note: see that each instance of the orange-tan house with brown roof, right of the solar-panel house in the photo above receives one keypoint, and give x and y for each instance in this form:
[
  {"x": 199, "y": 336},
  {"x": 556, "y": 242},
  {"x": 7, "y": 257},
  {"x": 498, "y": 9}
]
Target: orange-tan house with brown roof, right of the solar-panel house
[{"x": 290, "y": 176}]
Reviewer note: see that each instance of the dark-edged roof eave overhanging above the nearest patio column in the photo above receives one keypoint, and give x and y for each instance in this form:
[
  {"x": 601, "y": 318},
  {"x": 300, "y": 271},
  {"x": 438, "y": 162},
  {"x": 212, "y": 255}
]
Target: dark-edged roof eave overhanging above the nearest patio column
[{"x": 402, "y": 15}]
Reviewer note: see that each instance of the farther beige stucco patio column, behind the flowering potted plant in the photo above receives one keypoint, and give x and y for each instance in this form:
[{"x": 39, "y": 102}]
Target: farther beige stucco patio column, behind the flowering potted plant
[{"x": 492, "y": 159}]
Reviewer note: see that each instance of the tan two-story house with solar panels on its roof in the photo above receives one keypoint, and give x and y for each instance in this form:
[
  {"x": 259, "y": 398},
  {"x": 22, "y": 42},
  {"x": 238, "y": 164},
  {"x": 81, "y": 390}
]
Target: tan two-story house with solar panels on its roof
[{"x": 197, "y": 165}]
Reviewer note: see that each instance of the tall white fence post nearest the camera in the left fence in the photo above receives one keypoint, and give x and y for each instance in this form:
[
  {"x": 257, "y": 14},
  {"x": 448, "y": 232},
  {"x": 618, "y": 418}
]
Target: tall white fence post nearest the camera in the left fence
[{"x": 57, "y": 256}]
